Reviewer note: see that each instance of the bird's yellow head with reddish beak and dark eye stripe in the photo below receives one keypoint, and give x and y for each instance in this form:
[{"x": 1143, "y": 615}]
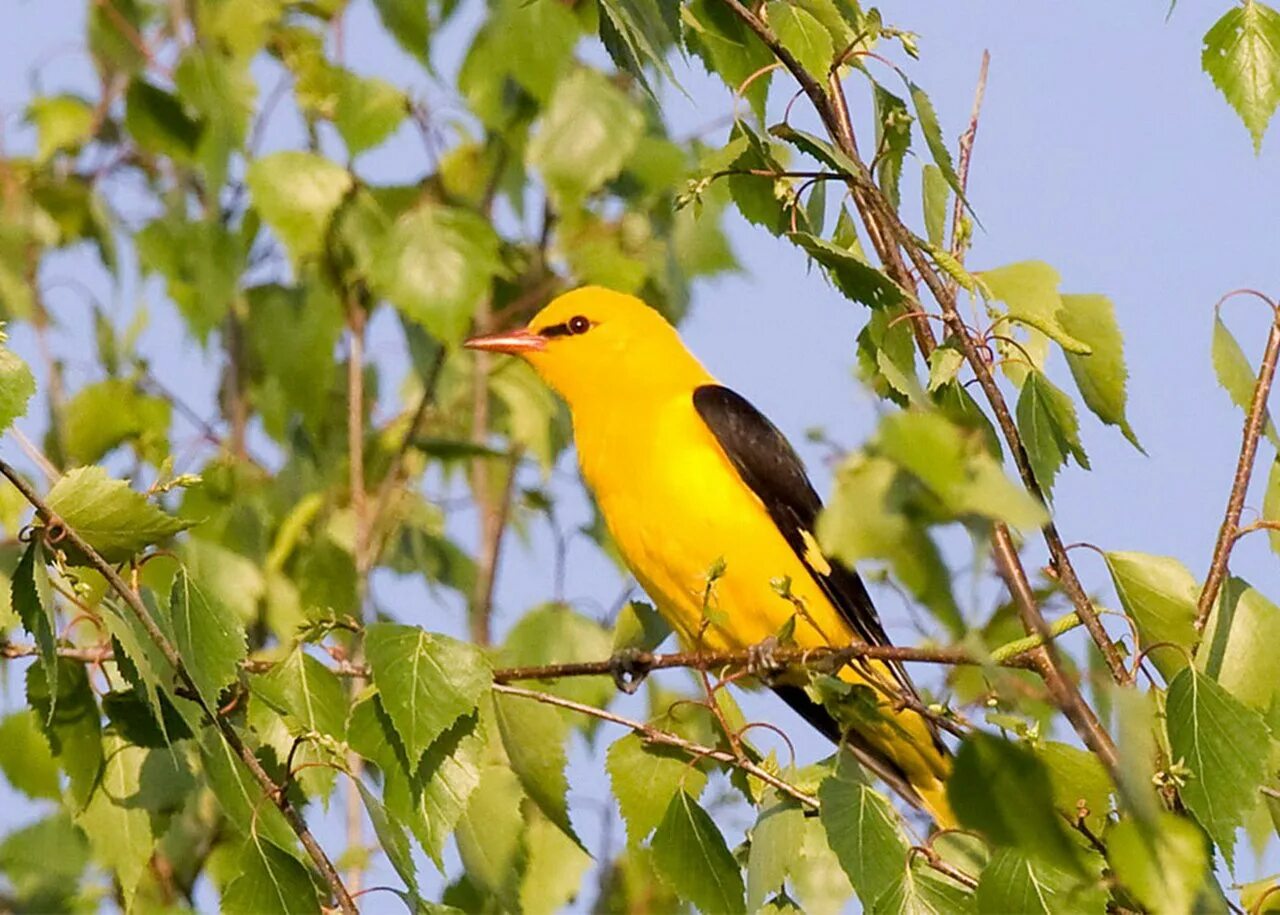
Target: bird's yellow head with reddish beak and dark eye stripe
[{"x": 596, "y": 345}]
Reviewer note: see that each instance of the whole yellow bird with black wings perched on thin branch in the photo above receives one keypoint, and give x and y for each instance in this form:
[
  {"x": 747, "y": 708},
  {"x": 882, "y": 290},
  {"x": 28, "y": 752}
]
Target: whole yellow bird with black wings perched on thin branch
[{"x": 692, "y": 478}]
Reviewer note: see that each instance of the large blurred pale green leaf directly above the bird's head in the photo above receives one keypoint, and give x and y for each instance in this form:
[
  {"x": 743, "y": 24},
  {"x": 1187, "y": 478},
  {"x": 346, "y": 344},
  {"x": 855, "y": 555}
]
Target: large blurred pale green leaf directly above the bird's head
[{"x": 587, "y": 134}]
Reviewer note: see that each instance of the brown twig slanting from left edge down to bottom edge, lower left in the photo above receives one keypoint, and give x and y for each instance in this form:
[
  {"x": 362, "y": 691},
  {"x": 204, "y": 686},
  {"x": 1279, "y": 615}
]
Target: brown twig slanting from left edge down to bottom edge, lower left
[{"x": 228, "y": 733}]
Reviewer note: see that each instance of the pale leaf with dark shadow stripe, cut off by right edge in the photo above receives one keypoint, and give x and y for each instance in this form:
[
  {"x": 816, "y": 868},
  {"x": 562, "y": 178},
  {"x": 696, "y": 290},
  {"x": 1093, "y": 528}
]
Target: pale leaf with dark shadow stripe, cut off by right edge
[{"x": 1238, "y": 647}]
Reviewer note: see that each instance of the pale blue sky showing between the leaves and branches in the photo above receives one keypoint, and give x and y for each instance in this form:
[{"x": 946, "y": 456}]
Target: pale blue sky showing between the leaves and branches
[{"x": 1103, "y": 150}]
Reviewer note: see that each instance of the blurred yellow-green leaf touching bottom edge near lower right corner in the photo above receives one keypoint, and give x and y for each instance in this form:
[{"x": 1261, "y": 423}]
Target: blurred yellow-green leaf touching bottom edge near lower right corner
[{"x": 1163, "y": 867}]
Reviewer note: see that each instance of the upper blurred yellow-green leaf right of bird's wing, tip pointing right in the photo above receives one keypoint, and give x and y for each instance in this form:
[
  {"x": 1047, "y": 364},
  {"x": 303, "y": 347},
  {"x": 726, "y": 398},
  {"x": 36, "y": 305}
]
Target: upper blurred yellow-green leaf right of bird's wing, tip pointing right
[{"x": 958, "y": 470}]
